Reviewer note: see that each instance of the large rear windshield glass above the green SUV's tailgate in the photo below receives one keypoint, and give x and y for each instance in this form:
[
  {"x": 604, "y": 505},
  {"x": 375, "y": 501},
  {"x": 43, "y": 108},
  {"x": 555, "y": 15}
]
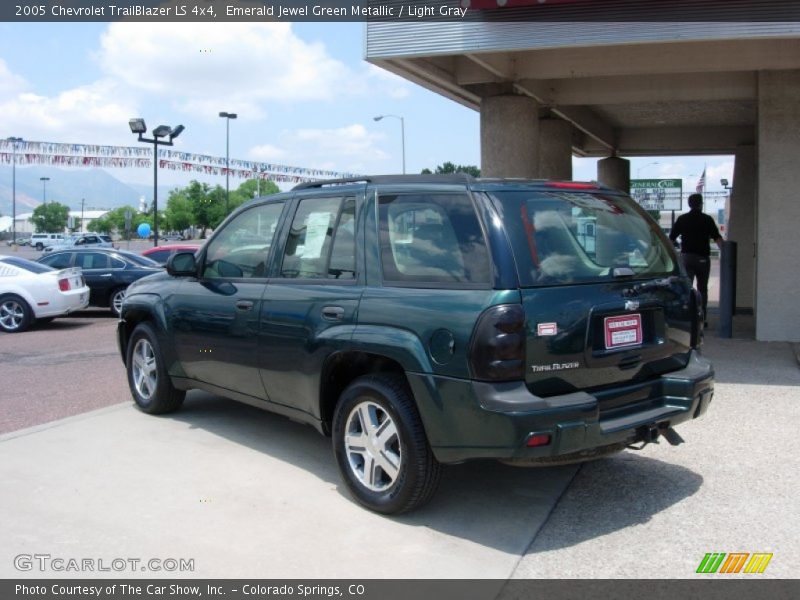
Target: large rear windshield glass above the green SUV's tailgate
[{"x": 568, "y": 237}]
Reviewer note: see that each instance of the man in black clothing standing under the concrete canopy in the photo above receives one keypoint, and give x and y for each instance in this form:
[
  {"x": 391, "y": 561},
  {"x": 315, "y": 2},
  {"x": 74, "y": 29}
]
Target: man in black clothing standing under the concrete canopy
[{"x": 695, "y": 229}]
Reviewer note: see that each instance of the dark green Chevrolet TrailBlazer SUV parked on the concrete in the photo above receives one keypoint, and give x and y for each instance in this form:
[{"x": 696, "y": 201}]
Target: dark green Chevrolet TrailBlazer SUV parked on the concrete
[{"x": 421, "y": 320}]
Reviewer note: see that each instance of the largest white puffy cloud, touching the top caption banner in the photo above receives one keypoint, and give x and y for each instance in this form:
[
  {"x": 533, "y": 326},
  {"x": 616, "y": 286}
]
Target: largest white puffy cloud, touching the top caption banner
[{"x": 202, "y": 66}]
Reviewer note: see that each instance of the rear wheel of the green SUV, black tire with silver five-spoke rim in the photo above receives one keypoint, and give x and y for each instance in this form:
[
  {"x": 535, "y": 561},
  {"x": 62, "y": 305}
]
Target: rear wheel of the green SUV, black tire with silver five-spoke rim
[{"x": 405, "y": 474}]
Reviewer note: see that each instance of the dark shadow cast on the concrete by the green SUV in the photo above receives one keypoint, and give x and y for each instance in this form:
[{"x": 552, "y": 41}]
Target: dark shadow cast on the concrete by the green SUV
[{"x": 484, "y": 502}]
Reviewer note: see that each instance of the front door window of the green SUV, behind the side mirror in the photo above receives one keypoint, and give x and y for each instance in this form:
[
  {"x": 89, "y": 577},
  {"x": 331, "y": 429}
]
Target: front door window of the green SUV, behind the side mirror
[{"x": 241, "y": 249}]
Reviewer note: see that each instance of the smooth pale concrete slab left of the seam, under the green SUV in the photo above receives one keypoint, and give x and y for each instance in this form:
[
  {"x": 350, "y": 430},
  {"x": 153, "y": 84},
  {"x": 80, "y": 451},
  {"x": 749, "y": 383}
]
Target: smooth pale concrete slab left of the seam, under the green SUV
[{"x": 247, "y": 494}]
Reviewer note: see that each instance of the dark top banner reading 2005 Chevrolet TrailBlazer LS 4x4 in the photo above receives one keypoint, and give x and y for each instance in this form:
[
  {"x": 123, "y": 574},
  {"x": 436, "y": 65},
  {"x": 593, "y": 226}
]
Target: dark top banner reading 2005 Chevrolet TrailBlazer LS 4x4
[{"x": 402, "y": 10}]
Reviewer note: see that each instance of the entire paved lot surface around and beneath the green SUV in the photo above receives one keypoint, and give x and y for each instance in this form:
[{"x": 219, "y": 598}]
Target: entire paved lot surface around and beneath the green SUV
[{"x": 250, "y": 494}]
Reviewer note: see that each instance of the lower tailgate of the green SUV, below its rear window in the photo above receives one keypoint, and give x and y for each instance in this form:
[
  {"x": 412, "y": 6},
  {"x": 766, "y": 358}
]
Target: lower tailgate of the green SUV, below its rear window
[{"x": 585, "y": 337}]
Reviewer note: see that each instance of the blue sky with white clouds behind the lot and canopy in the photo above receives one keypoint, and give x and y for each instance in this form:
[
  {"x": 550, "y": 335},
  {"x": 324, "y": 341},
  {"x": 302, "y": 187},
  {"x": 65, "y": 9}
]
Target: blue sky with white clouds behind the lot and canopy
[{"x": 303, "y": 93}]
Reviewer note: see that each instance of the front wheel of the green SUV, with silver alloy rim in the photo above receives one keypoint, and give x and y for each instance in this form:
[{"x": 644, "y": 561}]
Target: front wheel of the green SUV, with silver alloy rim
[{"x": 148, "y": 380}]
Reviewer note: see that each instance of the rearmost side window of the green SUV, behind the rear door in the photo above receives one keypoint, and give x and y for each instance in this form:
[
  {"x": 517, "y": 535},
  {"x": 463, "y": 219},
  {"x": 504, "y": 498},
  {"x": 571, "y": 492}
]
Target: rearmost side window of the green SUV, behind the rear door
[{"x": 431, "y": 238}]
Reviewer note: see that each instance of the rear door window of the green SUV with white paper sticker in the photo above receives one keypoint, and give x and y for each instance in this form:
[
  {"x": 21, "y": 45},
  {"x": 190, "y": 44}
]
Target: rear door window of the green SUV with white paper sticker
[{"x": 321, "y": 243}]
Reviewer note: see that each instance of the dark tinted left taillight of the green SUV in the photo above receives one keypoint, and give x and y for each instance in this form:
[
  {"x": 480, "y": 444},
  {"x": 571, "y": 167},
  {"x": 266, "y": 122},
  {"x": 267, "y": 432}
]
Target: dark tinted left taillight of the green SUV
[{"x": 497, "y": 352}]
